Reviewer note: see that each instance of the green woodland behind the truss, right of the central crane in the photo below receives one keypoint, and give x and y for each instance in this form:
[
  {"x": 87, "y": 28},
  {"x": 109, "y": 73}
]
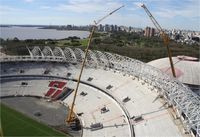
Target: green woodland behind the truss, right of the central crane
[{"x": 142, "y": 48}]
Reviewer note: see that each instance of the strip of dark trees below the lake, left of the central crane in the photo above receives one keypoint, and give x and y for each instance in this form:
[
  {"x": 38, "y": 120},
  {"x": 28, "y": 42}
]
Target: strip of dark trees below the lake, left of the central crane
[{"x": 19, "y": 47}]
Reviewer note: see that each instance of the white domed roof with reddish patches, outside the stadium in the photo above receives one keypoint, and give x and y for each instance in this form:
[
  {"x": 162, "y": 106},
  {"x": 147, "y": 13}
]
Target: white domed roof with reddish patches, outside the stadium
[{"x": 187, "y": 68}]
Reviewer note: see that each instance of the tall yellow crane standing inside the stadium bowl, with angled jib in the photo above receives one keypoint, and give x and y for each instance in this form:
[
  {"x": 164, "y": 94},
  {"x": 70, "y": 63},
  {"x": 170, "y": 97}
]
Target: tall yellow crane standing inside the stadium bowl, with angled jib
[{"x": 70, "y": 116}]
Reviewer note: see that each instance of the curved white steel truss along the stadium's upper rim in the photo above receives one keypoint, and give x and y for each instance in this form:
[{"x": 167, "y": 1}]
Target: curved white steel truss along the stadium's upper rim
[{"x": 177, "y": 94}]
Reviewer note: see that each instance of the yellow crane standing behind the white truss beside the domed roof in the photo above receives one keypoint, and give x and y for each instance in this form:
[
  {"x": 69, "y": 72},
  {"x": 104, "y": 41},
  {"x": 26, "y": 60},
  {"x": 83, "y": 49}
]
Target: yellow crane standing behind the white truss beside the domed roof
[{"x": 164, "y": 36}]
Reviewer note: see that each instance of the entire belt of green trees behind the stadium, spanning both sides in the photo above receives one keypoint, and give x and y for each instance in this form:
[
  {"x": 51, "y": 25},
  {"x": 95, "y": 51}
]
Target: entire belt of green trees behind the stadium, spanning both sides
[{"x": 128, "y": 44}]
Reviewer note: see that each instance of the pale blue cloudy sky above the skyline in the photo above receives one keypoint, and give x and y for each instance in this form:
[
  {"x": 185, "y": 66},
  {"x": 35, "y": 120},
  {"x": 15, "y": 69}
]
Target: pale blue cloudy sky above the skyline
[{"x": 178, "y": 14}]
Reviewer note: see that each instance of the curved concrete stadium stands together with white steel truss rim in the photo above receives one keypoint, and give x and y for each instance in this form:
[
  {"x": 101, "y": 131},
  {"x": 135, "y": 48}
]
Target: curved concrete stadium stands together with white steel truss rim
[{"x": 123, "y": 96}]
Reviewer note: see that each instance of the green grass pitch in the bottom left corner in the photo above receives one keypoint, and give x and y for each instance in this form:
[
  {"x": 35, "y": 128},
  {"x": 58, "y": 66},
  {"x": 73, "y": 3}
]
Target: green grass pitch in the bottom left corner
[{"x": 14, "y": 123}]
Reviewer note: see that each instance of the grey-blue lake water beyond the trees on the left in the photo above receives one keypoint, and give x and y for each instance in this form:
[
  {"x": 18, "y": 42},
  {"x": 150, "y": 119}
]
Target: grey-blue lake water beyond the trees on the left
[{"x": 23, "y": 33}]
